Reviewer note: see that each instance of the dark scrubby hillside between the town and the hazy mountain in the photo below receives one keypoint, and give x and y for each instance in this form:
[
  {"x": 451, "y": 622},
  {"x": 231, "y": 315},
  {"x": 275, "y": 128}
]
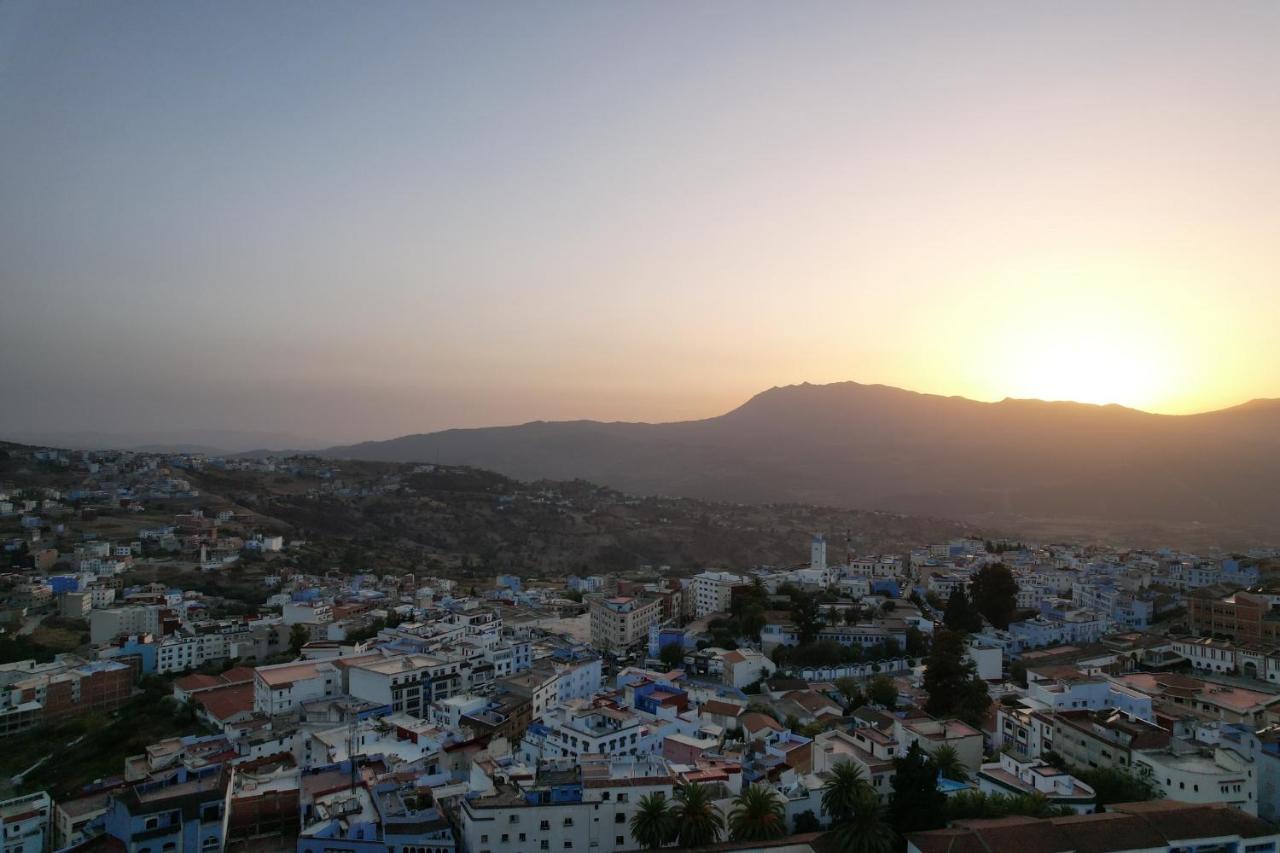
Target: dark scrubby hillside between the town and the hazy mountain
[{"x": 469, "y": 524}]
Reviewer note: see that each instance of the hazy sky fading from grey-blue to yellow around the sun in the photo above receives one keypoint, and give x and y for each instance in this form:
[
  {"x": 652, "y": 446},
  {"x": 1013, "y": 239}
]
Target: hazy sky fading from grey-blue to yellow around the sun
[{"x": 360, "y": 221}]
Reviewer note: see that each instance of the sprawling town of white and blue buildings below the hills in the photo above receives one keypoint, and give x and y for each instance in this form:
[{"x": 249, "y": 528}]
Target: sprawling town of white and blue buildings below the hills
[{"x": 195, "y": 670}]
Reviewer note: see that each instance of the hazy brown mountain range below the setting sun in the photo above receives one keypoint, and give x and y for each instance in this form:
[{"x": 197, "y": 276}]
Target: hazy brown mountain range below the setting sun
[{"x": 885, "y": 449}]
